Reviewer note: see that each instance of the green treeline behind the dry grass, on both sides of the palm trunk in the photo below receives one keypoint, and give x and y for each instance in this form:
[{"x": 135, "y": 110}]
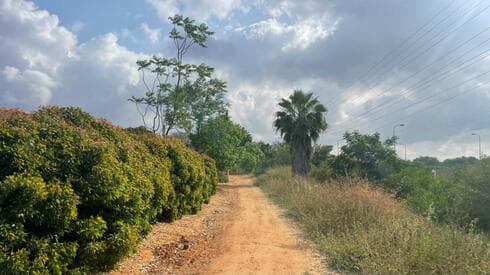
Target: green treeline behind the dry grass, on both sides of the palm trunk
[{"x": 454, "y": 191}]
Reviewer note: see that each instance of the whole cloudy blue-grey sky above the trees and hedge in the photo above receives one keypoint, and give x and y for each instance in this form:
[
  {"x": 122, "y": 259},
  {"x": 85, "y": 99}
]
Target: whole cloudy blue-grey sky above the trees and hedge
[{"x": 373, "y": 63}]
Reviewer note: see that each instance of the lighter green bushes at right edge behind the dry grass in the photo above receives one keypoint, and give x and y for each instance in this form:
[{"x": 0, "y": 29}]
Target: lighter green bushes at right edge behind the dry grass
[{"x": 458, "y": 197}]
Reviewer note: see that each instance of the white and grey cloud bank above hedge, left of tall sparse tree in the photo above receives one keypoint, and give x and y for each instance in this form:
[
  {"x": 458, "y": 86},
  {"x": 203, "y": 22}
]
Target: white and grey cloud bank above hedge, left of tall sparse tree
[{"x": 41, "y": 63}]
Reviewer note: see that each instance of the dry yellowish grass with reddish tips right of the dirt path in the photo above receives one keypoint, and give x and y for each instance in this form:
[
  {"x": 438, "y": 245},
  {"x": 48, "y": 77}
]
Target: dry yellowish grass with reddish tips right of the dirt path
[{"x": 361, "y": 229}]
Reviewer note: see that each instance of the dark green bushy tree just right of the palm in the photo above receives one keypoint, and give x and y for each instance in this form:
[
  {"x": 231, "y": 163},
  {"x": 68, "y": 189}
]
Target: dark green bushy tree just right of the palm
[{"x": 366, "y": 156}]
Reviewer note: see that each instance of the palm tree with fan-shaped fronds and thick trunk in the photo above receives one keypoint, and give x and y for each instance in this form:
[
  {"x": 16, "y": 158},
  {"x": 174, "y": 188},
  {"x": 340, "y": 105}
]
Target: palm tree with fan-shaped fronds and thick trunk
[{"x": 300, "y": 122}]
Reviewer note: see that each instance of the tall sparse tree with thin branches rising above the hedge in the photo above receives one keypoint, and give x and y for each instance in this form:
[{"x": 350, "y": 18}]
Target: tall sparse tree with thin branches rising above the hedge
[{"x": 179, "y": 95}]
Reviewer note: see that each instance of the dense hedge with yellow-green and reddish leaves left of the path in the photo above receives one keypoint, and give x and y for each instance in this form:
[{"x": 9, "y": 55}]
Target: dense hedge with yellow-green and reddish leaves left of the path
[{"x": 77, "y": 194}]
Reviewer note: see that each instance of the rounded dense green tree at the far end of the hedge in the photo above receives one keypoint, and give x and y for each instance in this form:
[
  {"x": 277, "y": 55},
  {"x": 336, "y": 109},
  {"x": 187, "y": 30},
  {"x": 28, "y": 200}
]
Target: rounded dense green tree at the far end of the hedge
[{"x": 223, "y": 140}]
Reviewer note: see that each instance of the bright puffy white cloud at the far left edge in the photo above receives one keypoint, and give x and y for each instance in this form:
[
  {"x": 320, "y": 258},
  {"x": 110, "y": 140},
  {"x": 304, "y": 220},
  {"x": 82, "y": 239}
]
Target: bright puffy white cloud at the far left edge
[{"x": 33, "y": 46}]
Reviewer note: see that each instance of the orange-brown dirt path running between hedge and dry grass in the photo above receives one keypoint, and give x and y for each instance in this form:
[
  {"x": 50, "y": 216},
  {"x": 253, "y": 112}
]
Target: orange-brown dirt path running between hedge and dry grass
[{"x": 239, "y": 232}]
